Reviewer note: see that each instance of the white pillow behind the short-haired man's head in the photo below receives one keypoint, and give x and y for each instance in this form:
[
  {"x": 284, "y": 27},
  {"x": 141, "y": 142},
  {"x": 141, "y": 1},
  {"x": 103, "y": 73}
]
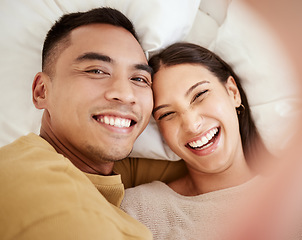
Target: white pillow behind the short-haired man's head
[{"x": 24, "y": 25}]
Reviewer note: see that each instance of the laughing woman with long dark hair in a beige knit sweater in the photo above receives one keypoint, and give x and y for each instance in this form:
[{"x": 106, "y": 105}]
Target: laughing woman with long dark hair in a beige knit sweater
[{"x": 204, "y": 116}]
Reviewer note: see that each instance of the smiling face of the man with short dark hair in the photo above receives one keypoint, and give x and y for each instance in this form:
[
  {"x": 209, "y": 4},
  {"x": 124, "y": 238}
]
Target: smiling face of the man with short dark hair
[{"x": 100, "y": 99}]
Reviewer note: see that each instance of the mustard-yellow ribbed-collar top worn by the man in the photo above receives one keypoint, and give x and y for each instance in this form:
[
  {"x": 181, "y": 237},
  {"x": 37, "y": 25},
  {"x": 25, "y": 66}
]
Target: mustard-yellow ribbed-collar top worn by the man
[{"x": 44, "y": 196}]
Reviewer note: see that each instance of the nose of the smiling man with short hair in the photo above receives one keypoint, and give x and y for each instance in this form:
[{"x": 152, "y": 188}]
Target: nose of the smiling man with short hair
[{"x": 120, "y": 89}]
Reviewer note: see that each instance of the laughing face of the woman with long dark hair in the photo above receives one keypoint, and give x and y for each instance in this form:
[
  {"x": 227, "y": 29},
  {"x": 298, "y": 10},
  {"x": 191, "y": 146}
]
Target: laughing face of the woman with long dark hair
[{"x": 197, "y": 116}]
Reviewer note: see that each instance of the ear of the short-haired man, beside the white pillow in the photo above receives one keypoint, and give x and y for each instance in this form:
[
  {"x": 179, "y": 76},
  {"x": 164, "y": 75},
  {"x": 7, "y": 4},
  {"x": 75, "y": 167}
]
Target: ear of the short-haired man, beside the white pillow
[{"x": 40, "y": 90}]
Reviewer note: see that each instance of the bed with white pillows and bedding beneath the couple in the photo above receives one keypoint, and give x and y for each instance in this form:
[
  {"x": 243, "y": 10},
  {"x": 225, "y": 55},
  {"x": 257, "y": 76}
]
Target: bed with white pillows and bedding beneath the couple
[{"x": 228, "y": 27}]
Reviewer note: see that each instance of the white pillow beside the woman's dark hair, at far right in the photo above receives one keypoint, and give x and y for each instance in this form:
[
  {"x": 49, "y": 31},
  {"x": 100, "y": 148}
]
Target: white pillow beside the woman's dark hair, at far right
[{"x": 256, "y": 55}]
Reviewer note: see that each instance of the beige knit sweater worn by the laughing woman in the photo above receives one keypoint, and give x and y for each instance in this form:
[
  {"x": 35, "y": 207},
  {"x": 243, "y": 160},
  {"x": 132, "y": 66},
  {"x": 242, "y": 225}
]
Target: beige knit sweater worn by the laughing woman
[{"x": 172, "y": 216}]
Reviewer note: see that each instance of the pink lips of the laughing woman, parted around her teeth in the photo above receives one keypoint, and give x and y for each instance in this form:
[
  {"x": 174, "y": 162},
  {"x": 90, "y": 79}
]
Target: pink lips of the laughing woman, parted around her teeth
[{"x": 210, "y": 147}]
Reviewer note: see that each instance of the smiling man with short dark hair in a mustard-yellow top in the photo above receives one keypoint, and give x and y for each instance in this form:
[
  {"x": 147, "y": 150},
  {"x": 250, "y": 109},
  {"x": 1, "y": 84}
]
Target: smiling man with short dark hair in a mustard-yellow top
[{"x": 95, "y": 89}]
